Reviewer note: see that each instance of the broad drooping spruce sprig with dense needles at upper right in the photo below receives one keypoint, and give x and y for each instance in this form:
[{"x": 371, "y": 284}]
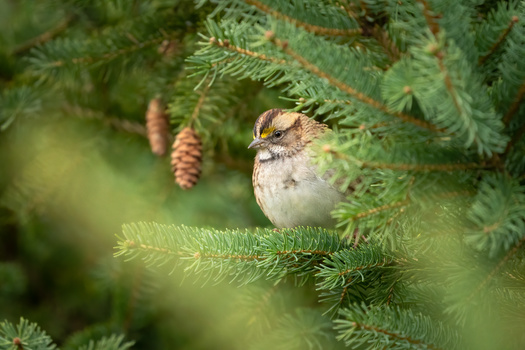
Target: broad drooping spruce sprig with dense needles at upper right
[{"x": 457, "y": 100}]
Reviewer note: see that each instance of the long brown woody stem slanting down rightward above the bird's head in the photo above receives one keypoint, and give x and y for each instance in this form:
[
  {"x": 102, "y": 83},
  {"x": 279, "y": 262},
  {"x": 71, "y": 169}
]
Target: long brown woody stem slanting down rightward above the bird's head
[{"x": 351, "y": 91}]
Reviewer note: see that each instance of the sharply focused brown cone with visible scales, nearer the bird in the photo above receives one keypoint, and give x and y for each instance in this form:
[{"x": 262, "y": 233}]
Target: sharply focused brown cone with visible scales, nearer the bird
[{"x": 186, "y": 158}]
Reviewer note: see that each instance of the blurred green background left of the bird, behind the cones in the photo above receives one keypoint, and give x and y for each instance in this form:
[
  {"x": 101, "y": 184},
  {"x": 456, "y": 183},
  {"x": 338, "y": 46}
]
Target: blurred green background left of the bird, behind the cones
[{"x": 75, "y": 165}]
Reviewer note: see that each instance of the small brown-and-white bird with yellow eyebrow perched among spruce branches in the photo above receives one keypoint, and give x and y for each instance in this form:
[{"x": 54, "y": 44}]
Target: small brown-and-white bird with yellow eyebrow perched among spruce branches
[{"x": 287, "y": 186}]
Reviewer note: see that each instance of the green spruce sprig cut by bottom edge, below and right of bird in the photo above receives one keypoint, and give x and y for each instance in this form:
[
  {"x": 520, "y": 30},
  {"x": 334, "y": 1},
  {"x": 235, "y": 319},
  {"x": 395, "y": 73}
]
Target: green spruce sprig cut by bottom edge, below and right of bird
[{"x": 387, "y": 326}]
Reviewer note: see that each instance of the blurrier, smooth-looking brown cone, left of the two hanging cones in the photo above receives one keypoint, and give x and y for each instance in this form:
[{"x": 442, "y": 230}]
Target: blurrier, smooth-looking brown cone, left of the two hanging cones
[{"x": 157, "y": 125}]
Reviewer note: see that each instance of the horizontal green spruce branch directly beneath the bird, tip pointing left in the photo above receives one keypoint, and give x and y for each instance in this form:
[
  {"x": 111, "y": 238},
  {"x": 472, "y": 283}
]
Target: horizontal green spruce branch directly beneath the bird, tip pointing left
[{"x": 244, "y": 255}]
